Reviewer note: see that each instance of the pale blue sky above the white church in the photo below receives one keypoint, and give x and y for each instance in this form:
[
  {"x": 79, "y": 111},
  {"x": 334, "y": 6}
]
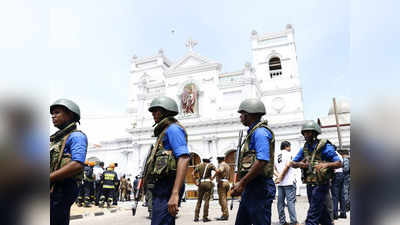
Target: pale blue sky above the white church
[{"x": 83, "y": 49}]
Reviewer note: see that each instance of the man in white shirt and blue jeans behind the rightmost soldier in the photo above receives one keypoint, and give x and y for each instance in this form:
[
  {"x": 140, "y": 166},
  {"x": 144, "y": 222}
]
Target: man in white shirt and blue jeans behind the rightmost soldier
[{"x": 286, "y": 184}]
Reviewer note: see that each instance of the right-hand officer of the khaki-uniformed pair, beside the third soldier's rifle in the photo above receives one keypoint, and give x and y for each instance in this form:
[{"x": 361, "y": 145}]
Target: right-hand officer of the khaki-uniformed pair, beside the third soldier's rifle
[{"x": 222, "y": 175}]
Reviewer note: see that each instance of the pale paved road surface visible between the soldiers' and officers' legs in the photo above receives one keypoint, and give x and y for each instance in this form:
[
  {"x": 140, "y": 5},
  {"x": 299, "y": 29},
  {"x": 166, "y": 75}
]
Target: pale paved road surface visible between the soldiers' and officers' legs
[{"x": 186, "y": 215}]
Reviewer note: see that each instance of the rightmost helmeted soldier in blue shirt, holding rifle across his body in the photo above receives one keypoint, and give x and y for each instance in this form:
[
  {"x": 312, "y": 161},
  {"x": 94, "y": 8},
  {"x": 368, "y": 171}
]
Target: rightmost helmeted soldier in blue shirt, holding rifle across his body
[{"x": 317, "y": 159}]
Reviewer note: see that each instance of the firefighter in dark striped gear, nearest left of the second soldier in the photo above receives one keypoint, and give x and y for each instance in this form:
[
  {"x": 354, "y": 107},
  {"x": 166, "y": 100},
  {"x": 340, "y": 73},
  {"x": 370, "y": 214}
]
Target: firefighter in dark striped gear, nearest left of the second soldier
[{"x": 109, "y": 182}]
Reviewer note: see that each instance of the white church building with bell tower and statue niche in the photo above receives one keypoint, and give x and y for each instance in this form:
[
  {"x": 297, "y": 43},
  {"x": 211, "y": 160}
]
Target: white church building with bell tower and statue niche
[{"x": 208, "y": 99}]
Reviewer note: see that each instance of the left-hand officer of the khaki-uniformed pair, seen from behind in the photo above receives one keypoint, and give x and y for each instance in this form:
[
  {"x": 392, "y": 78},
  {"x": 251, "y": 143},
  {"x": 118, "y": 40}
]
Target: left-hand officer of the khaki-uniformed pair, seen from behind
[{"x": 204, "y": 182}]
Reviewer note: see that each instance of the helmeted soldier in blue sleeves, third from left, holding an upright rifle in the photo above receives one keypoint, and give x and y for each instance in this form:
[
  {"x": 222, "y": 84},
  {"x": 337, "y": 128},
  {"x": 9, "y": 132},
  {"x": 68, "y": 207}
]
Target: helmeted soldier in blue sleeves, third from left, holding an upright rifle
[{"x": 256, "y": 167}]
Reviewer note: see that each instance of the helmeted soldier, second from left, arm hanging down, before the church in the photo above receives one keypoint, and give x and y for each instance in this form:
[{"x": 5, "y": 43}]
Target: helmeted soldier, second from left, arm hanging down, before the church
[{"x": 168, "y": 161}]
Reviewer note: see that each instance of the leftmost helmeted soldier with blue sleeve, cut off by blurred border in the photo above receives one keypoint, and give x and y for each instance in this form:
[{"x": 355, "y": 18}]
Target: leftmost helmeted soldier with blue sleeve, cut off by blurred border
[{"x": 68, "y": 148}]
